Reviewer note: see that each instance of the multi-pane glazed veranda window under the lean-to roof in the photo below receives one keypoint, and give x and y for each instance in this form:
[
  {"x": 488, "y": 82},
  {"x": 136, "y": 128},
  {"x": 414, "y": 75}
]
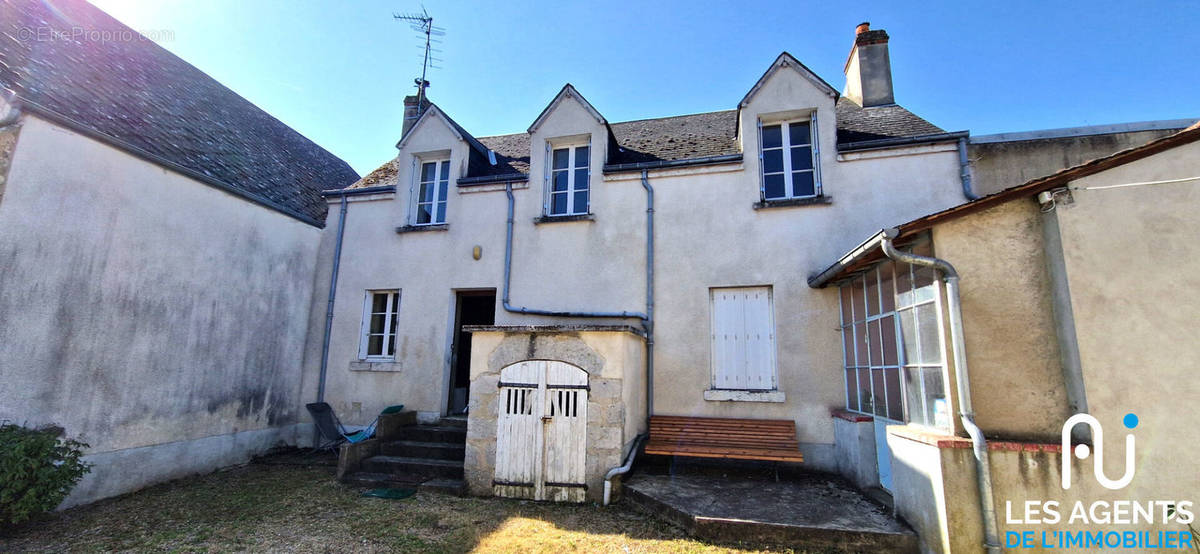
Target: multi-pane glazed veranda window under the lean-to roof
[{"x": 893, "y": 345}]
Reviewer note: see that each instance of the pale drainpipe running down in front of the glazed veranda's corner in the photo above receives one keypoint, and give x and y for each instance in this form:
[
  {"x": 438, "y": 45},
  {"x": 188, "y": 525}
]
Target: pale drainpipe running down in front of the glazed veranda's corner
[{"x": 967, "y": 413}]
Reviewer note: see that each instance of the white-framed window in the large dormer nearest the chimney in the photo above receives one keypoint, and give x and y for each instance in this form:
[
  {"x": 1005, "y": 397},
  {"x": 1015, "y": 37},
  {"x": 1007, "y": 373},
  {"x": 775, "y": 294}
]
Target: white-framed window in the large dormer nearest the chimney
[{"x": 789, "y": 159}]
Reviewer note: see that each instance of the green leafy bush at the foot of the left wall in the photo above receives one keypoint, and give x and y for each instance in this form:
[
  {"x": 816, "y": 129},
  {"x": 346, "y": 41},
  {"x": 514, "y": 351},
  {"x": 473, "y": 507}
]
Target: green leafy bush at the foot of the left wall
[{"x": 38, "y": 469}]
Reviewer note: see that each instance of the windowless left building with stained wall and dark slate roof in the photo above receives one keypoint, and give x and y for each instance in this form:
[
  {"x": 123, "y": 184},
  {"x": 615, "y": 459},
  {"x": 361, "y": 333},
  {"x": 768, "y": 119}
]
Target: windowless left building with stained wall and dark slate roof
[{"x": 158, "y": 240}]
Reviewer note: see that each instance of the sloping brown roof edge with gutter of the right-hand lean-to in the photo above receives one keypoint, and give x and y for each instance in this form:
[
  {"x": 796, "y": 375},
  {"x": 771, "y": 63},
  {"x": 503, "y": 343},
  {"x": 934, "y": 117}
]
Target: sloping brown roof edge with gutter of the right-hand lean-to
[{"x": 868, "y": 252}]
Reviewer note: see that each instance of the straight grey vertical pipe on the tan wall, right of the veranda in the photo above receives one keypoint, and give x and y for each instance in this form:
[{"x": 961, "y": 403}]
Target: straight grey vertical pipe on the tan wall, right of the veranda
[{"x": 1064, "y": 314}]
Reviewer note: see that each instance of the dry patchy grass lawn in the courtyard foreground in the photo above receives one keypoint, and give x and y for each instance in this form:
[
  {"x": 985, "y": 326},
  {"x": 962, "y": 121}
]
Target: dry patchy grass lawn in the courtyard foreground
[{"x": 302, "y": 509}]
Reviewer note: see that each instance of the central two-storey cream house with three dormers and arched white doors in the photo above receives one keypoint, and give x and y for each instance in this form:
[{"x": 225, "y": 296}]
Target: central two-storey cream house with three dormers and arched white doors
[{"x": 466, "y": 256}]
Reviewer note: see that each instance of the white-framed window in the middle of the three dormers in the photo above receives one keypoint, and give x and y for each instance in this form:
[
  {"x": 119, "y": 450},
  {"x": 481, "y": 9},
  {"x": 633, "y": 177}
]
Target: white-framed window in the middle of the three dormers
[{"x": 568, "y": 179}]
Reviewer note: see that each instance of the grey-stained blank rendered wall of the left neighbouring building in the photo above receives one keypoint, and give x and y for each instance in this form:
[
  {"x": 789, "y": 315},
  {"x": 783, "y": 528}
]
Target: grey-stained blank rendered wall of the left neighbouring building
[{"x": 141, "y": 310}]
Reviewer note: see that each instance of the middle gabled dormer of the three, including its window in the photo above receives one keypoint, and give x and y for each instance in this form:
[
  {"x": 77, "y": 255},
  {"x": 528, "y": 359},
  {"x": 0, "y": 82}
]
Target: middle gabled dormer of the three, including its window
[{"x": 569, "y": 143}]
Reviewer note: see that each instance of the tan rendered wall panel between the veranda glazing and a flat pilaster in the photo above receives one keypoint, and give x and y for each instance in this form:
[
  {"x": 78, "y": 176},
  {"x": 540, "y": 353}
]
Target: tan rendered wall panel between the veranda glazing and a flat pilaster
[{"x": 1007, "y": 320}]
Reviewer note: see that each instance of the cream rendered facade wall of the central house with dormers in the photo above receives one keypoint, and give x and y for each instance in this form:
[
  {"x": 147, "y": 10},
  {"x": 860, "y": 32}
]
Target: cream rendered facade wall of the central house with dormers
[{"x": 707, "y": 232}]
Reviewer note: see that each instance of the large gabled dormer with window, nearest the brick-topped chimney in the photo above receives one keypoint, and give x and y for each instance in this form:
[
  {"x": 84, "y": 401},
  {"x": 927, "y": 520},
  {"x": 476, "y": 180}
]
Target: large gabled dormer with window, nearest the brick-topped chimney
[{"x": 788, "y": 130}]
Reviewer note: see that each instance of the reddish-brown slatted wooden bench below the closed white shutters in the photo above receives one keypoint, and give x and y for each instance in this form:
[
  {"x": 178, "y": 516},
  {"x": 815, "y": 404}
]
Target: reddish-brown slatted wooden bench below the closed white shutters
[{"x": 772, "y": 441}]
